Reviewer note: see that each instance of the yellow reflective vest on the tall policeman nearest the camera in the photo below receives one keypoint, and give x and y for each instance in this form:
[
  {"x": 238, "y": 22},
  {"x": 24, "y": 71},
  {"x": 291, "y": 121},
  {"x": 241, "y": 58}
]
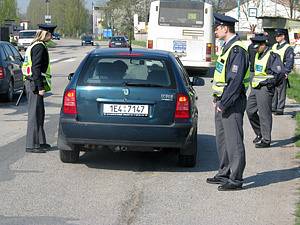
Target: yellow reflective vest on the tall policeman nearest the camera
[{"x": 219, "y": 81}]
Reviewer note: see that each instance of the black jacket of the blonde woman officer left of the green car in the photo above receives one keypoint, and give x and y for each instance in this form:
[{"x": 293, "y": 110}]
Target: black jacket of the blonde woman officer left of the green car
[{"x": 40, "y": 61}]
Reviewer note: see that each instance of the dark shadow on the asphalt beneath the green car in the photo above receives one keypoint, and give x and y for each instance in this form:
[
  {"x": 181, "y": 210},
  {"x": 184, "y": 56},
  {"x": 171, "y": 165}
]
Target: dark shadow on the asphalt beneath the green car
[{"x": 153, "y": 161}]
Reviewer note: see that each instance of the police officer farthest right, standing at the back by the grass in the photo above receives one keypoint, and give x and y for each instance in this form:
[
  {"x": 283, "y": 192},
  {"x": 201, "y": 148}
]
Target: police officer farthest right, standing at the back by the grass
[{"x": 286, "y": 53}]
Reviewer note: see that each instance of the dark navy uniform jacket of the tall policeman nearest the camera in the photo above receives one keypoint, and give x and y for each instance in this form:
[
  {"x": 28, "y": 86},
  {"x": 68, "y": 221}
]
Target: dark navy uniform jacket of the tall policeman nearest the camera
[{"x": 236, "y": 68}]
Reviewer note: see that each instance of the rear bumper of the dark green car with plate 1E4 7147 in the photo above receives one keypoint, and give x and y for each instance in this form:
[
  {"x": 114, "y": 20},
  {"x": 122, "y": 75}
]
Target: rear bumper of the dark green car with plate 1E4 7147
[{"x": 72, "y": 132}]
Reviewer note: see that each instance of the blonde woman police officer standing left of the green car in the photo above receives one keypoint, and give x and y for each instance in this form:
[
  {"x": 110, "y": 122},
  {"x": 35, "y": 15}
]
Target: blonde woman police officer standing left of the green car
[{"x": 37, "y": 76}]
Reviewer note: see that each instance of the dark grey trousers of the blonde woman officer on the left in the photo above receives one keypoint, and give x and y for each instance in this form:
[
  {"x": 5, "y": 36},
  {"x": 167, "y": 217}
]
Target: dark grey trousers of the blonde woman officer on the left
[{"x": 36, "y": 116}]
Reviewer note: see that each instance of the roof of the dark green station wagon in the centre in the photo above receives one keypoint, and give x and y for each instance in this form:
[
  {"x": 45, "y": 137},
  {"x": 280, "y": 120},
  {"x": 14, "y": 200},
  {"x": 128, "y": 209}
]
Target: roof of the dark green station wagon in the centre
[{"x": 123, "y": 51}]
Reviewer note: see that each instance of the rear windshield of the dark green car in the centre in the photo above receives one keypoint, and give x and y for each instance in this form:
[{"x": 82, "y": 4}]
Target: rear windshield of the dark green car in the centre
[{"x": 99, "y": 71}]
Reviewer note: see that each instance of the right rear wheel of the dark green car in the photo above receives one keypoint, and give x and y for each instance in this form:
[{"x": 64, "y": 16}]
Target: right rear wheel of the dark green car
[{"x": 188, "y": 155}]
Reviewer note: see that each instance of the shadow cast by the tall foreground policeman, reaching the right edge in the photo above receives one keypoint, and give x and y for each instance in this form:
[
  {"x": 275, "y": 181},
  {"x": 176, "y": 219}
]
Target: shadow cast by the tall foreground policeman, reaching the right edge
[{"x": 271, "y": 177}]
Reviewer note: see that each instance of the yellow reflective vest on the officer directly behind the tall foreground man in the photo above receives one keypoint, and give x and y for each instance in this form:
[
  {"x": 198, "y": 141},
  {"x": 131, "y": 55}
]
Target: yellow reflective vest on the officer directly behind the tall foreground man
[{"x": 260, "y": 66}]
